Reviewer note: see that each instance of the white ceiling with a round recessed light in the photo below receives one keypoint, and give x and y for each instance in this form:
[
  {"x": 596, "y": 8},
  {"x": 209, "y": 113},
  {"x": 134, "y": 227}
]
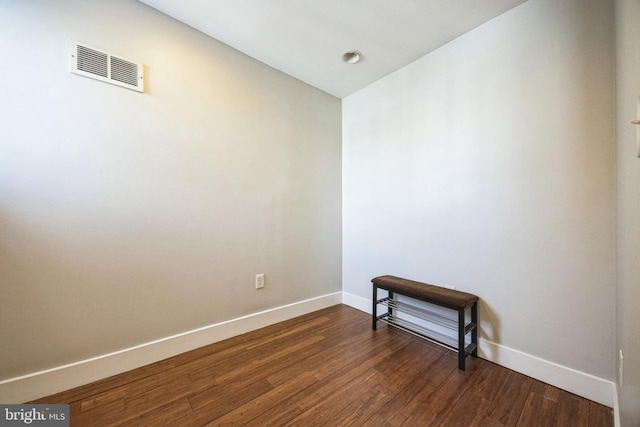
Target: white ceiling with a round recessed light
[{"x": 307, "y": 38}]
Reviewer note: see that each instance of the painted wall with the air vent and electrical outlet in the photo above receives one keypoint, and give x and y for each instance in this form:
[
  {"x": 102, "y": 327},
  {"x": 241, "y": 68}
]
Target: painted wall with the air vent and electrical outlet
[{"x": 128, "y": 217}]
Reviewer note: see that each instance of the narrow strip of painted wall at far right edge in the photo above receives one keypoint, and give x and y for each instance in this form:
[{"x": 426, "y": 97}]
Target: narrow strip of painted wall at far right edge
[{"x": 628, "y": 207}]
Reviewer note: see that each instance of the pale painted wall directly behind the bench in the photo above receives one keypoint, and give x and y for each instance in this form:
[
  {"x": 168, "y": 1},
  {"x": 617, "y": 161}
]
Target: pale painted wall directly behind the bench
[{"x": 489, "y": 165}]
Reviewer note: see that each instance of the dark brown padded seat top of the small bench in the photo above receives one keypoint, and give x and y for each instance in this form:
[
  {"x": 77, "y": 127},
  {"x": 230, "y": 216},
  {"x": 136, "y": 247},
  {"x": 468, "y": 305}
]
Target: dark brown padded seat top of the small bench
[{"x": 425, "y": 292}]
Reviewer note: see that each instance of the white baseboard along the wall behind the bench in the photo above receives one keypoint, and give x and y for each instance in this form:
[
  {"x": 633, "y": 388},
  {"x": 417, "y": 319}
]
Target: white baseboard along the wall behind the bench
[{"x": 580, "y": 383}]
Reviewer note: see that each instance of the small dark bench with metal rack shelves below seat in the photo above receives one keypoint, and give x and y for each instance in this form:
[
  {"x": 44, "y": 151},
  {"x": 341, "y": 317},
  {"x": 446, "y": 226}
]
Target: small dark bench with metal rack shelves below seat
[{"x": 451, "y": 299}]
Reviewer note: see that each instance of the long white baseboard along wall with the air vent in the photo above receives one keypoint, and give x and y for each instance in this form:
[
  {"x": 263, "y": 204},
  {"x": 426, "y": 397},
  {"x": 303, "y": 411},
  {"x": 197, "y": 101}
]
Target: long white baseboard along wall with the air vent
[{"x": 44, "y": 383}]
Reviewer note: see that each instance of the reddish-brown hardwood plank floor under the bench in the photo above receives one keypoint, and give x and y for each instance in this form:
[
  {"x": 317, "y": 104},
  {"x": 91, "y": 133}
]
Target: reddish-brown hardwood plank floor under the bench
[{"x": 326, "y": 368}]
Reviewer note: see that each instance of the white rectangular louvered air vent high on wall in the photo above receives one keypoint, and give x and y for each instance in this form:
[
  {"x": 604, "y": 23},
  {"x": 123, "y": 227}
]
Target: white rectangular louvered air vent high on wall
[{"x": 100, "y": 65}]
